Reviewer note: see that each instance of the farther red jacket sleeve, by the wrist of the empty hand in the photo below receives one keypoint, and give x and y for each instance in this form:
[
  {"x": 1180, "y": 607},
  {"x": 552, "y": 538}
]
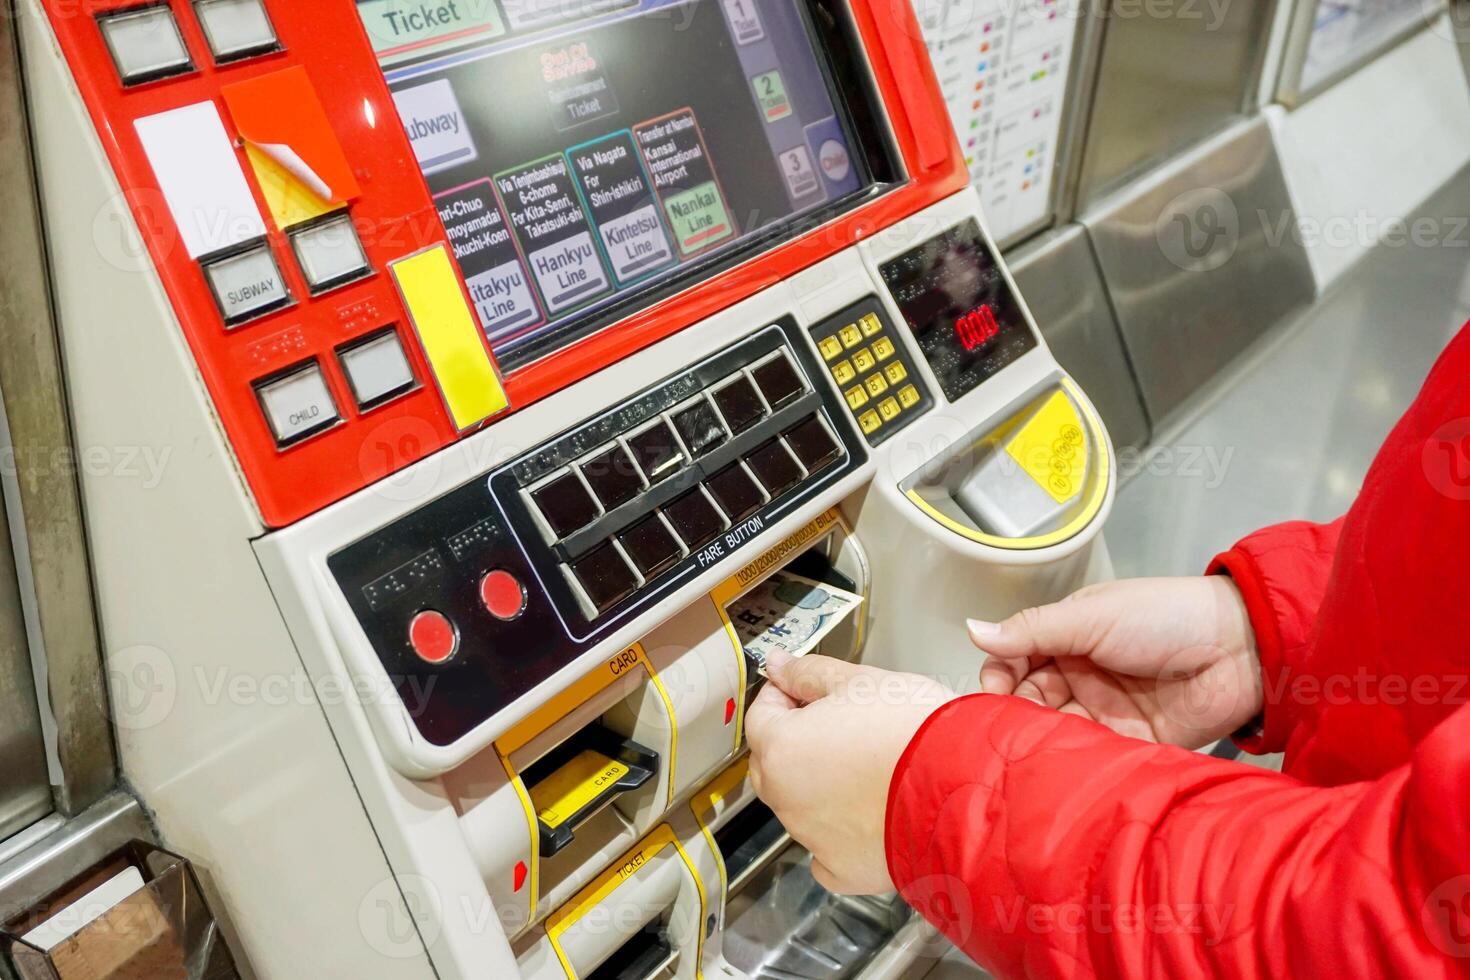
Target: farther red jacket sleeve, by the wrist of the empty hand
[{"x": 1283, "y": 574}]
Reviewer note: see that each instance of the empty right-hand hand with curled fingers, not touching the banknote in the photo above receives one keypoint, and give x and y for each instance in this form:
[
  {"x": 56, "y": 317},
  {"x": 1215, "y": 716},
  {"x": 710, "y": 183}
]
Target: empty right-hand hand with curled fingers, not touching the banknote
[{"x": 1166, "y": 660}]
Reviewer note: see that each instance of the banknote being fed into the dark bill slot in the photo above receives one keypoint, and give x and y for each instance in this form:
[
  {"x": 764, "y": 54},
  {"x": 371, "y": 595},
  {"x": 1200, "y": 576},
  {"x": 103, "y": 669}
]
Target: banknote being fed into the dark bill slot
[{"x": 792, "y": 615}]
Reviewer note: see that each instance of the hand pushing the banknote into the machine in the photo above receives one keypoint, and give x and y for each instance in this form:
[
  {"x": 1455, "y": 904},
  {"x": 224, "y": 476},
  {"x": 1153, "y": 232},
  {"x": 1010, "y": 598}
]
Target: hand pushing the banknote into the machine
[{"x": 825, "y": 738}]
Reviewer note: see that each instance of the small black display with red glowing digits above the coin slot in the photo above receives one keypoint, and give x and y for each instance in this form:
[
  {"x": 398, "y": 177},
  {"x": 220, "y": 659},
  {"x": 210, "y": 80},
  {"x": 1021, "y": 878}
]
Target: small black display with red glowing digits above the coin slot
[{"x": 961, "y": 308}]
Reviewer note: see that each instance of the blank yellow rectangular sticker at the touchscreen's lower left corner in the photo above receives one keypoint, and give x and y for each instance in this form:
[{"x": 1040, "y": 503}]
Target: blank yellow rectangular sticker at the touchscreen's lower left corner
[{"x": 452, "y": 340}]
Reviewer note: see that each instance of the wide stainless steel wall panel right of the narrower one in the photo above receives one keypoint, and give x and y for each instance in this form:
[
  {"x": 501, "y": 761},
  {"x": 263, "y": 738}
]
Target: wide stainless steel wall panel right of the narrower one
[{"x": 1200, "y": 259}]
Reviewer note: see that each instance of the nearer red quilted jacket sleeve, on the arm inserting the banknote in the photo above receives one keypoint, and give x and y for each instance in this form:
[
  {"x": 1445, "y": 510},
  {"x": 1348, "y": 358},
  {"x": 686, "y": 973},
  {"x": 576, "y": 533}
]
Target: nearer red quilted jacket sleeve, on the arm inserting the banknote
[{"x": 1047, "y": 847}]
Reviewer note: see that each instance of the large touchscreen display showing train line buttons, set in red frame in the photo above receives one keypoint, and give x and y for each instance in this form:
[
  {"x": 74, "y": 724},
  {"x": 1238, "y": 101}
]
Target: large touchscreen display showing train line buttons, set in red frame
[{"x": 590, "y": 155}]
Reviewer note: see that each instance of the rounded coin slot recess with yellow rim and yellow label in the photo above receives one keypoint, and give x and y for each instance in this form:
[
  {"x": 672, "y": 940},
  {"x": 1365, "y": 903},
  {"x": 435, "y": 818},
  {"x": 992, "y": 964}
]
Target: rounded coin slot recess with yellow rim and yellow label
[{"x": 1031, "y": 480}]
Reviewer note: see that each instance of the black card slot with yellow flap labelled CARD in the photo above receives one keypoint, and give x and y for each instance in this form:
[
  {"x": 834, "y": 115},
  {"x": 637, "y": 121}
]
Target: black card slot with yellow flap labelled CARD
[{"x": 580, "y": 778}]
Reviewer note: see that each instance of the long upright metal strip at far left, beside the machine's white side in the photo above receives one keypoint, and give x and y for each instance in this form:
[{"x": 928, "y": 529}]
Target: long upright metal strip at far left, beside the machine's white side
[{"x": 42, "y": 489}]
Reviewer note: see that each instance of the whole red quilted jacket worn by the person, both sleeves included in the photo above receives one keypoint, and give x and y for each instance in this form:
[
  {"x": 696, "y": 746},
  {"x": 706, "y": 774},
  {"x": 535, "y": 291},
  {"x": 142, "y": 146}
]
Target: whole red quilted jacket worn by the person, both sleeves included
[{"x": 1046, "y": 846}]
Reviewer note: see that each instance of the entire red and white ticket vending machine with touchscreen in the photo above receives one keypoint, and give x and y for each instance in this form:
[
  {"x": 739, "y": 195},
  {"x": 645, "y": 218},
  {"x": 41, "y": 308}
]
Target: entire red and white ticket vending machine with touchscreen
[{"x": 499, "y": 349}]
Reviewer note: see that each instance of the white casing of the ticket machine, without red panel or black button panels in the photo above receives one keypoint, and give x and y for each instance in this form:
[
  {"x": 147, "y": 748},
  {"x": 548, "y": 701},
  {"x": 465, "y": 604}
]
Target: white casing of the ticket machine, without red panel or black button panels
[{"x": 255, "y": 728}]
